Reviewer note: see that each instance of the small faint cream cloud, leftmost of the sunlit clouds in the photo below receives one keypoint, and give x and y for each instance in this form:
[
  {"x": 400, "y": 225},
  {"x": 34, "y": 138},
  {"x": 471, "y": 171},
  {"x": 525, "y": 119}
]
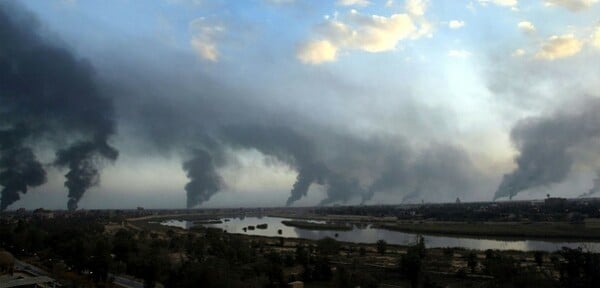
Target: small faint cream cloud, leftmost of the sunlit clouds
[{"x": 204, "y": 38}]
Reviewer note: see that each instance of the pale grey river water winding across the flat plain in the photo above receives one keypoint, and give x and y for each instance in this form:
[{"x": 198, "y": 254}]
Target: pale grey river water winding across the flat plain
[{"x": 367, "y": 234}]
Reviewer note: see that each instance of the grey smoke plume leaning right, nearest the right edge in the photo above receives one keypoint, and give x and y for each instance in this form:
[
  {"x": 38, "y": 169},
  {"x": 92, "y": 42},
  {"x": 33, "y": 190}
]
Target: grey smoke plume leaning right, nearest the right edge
[{"x": 546, "y": 147}]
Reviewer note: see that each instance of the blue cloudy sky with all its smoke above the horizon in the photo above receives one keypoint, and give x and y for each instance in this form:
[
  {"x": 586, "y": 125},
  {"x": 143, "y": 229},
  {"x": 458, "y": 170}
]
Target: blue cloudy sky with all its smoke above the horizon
[{"x": 198, "y": 103}]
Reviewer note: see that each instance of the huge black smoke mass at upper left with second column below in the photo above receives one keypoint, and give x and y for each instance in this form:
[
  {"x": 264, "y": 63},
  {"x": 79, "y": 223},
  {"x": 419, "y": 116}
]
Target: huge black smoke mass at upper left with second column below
[{"x": 47, "y": 90}]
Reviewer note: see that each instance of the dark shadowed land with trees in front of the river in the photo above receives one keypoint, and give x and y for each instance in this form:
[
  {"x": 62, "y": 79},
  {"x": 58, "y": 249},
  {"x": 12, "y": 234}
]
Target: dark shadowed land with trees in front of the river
[{"x": 92, "y": 248}]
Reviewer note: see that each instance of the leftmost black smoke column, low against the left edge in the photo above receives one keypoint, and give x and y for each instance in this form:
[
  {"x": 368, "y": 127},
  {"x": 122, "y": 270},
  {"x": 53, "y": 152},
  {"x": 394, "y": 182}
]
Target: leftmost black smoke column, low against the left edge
[{"x": 19, "y": 168}]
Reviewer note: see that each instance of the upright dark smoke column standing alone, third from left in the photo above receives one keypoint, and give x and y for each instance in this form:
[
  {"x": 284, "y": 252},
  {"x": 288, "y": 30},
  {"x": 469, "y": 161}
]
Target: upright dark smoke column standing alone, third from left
[{"x": 204, "y": 179}]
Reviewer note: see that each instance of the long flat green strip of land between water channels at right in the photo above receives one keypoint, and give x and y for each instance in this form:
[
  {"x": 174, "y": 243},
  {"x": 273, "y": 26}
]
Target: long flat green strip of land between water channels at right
[{"x": 554, "y": 230}]
